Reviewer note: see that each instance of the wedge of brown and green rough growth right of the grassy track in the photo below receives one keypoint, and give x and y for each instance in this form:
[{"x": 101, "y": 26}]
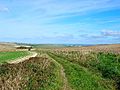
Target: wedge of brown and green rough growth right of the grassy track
[{"x": 107, "y": 65}]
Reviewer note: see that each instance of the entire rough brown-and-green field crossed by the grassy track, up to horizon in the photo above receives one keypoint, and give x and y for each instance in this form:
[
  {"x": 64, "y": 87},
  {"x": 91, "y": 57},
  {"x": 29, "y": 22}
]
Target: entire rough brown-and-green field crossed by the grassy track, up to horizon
[{"x": 73, "y": 68}]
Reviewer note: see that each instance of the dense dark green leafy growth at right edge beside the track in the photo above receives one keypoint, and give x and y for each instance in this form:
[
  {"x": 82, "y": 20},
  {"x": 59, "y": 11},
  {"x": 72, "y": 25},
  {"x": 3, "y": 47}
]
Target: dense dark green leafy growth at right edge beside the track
[{"x": 108, "y": 65}]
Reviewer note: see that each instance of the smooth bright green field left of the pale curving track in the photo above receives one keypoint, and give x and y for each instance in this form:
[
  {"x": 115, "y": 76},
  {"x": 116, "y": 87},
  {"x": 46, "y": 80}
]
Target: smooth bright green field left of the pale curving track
[{"x": 7, "y": 56}]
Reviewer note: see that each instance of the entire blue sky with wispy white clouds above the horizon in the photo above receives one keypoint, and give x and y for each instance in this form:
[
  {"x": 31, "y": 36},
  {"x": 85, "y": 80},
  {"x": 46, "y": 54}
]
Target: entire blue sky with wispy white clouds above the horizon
[{"x": 60, "y": 21}]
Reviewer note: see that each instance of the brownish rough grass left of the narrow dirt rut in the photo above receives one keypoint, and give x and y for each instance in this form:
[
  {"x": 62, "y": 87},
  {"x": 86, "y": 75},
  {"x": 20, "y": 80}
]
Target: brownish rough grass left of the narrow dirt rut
[{"x": 37, "y": 73}]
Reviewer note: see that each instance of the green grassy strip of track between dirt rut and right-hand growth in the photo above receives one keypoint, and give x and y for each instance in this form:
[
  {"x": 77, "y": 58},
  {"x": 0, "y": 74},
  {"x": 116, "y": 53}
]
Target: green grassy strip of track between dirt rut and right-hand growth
[{"x": 81, "y": 78}]
